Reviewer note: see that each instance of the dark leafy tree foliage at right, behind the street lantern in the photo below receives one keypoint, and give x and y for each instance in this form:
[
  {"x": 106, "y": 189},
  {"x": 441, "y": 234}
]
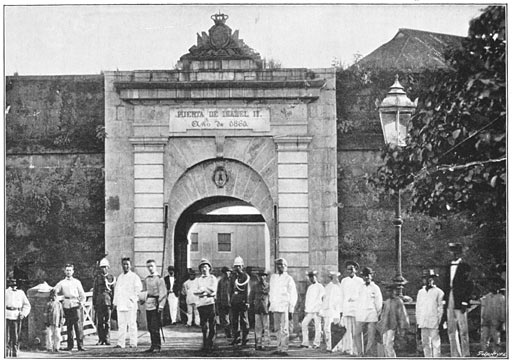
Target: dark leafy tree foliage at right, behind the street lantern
[{"x": 455, "y": 158}]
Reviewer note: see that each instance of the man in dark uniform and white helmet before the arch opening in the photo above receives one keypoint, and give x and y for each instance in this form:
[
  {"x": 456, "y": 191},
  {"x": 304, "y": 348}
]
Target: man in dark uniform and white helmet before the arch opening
[{"x": 240, "y": 302}]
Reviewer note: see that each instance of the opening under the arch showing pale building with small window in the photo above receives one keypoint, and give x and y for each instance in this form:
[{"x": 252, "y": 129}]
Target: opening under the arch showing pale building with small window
[{"x": 209, "y": 229}]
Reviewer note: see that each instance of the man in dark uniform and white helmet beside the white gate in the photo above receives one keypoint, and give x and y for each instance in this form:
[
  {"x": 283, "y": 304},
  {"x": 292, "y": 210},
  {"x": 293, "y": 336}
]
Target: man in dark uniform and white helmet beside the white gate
[{"x": 102, "y": 296}]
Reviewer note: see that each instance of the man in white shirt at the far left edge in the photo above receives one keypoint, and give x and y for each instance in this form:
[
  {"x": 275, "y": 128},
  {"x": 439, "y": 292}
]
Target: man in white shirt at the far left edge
[{"x": 17, "y": 307}]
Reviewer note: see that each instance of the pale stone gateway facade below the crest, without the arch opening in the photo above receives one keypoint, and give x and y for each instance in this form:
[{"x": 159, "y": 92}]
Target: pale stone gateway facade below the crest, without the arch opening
[{"x": 294, "y": 158}]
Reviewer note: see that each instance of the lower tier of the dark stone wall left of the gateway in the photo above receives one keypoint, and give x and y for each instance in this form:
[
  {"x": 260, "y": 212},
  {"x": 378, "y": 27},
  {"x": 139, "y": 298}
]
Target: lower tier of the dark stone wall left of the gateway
[{"x": 55, "y": 214}]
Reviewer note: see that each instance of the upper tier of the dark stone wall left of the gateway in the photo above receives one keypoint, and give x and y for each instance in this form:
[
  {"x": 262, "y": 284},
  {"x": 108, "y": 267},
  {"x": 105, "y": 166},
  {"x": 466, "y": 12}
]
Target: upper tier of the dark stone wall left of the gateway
[{"x": 54, "y": 114}]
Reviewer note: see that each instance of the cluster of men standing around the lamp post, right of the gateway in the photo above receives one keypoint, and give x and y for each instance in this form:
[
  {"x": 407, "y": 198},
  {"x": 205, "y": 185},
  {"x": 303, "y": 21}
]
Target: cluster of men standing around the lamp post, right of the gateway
[{"x": 357, "y": 305}]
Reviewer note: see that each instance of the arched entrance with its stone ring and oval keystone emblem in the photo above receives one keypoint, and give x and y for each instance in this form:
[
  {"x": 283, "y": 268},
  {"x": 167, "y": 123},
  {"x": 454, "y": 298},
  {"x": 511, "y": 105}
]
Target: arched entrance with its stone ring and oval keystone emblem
[{"x": 197, "y": 194}]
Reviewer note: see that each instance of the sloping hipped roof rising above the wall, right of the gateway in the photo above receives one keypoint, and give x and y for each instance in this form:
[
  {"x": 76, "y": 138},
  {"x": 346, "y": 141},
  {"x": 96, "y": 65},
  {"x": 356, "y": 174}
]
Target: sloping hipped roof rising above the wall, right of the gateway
[{"x": 414, "y": 50}]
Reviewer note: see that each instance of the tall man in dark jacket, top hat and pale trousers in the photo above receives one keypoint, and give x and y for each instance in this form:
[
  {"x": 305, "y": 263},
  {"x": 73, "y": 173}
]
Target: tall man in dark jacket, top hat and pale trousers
[{"x": 457, "y": 301}]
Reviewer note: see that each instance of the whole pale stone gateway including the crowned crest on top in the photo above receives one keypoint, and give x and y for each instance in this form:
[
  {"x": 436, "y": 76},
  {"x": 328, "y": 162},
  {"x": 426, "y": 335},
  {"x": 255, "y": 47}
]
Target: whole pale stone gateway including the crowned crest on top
[{"x": 221, "y": 131}]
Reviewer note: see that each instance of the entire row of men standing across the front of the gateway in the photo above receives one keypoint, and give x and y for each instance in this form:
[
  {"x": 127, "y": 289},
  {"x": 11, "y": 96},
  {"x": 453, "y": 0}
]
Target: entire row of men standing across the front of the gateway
[{"x": 354, "y": 303}]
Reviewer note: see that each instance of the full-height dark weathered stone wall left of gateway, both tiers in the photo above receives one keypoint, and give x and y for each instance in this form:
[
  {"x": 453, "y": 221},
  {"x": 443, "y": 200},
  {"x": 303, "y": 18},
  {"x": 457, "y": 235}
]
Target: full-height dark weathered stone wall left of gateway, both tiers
[{"x": 54, "y": 175}]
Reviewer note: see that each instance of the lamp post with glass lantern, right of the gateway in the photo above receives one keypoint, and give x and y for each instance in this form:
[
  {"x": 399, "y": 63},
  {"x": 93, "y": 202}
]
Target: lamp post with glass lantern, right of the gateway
[{"x": 395, "y": 112}]
